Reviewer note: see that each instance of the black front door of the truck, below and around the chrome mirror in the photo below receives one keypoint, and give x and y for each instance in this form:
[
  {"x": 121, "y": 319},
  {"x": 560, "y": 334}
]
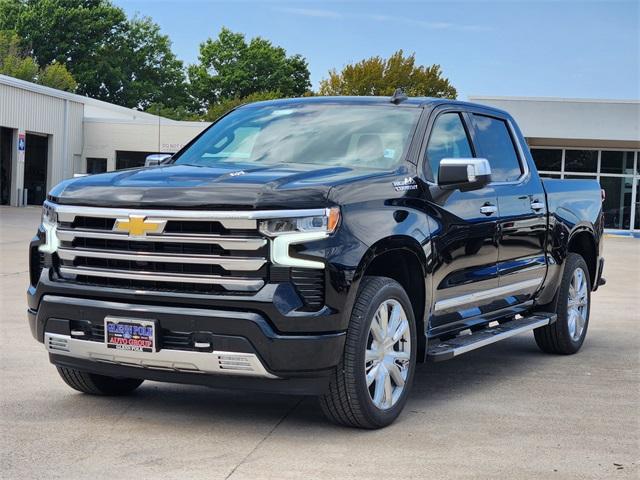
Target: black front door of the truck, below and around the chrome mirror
[{"x": 464, "y": 238}]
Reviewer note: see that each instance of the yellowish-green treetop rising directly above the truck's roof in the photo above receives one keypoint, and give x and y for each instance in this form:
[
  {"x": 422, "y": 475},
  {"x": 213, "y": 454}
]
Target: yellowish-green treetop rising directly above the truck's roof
[{"x": 379, "y": 76}]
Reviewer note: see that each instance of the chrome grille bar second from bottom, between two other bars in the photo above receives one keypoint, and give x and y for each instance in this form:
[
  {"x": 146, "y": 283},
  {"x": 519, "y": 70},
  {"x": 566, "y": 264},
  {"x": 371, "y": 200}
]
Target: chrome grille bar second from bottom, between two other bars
[{"x": 248, "y": 264}]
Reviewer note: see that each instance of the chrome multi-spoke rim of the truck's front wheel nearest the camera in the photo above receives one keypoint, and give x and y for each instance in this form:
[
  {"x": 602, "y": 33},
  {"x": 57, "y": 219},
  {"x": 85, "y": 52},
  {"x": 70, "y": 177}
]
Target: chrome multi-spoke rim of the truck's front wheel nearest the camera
[{"x": 388, "y": 354}]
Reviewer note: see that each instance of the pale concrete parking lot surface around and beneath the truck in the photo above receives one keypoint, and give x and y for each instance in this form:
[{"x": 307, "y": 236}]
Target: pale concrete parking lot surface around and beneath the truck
[{"x": 505, "y": 411}]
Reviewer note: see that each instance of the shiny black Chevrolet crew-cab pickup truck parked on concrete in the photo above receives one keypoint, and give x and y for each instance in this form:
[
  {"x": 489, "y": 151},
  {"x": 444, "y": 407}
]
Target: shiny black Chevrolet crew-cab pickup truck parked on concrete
[{"x": 320, "y": 246}]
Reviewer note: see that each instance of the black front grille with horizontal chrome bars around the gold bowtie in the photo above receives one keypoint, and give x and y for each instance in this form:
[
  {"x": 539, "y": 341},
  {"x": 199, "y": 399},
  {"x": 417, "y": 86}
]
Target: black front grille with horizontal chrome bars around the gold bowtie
[{"x": 193, "y": 252}]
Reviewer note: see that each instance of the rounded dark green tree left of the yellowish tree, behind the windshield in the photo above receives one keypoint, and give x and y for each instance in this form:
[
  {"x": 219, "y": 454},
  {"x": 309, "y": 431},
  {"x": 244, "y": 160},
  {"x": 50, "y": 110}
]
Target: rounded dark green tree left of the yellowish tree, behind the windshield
[{"x": 231, "y": 68}]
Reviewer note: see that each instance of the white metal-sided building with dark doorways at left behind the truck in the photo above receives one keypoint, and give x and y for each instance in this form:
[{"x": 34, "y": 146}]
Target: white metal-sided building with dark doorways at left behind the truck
[{"x": 47, "y": 135}]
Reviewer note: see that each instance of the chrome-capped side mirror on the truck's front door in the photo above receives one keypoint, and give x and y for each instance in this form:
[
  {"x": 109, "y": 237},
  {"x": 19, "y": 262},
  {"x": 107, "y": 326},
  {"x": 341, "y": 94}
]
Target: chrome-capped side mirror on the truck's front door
[{"x": 464, "y": 173}]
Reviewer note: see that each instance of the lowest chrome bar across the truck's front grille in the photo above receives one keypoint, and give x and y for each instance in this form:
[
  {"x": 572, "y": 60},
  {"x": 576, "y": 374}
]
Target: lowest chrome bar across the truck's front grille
[{"x": 234, "y": 283}]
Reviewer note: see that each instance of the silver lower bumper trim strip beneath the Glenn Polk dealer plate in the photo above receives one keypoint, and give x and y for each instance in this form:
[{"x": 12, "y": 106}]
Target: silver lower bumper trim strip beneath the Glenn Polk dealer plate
[{"x": 216, "y": 362}]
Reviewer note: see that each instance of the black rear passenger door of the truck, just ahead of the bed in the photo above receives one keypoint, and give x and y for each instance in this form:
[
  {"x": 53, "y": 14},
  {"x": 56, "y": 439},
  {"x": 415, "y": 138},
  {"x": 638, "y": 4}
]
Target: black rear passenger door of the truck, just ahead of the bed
[{"x": 522, "y": 222}]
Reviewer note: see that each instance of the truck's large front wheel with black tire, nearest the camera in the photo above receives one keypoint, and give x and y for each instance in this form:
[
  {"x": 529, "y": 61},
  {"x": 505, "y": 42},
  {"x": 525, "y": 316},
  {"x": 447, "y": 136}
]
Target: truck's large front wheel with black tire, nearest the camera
[{"x": 351, "y": 398}]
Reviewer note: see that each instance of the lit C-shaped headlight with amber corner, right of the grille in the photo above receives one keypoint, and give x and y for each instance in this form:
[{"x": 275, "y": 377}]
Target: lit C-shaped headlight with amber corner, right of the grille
[{"x": 295, "y": 230}]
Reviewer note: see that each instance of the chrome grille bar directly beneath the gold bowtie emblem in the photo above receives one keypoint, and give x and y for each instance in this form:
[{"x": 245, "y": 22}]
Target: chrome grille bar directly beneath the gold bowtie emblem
[{"x": 227, "y": 243}]
